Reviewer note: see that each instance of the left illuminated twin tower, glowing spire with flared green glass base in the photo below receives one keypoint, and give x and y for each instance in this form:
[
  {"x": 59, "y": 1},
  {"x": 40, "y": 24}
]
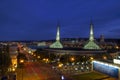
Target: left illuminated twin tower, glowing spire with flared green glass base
[{"x": 57, "y": 43}]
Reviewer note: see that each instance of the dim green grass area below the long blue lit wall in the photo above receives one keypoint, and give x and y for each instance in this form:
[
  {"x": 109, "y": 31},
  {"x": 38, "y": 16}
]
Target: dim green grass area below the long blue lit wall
[{"x": 90, "y": 76}]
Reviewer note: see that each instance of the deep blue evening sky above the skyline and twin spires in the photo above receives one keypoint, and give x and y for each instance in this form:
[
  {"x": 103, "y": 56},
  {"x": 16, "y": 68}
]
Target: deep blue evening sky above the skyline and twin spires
[{"x": 37, "y": 19}]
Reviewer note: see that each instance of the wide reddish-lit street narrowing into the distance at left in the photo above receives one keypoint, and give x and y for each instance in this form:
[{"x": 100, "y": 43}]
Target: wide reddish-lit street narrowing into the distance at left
[{"x": 37, "y": 70}]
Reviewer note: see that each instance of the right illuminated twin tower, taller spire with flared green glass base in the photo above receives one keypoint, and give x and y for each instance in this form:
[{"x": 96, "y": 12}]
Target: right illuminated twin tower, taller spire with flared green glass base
[{"x": 91, "y": 43}]
